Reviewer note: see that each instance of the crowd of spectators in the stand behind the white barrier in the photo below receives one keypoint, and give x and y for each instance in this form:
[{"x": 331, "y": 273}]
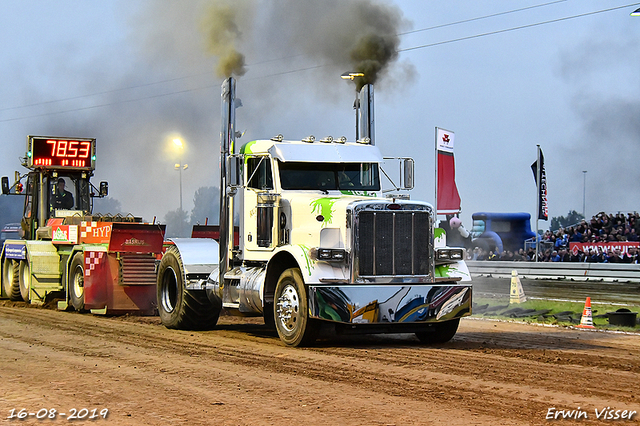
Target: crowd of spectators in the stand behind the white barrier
[{"x": 554, "y": 246}]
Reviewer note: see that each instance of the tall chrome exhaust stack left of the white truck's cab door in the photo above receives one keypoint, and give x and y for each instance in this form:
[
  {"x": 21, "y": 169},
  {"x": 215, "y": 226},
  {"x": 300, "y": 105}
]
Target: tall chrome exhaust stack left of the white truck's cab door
[{"x": 227, "y": 142}]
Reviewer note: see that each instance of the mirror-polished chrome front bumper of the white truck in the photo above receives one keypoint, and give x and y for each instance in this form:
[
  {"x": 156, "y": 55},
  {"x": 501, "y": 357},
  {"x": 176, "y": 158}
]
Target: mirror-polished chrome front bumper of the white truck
[{"x": 389, "y": 304}]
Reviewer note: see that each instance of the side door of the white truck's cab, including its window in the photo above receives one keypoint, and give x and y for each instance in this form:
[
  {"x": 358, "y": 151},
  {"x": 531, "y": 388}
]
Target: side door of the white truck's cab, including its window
[{"x": 260, "y": 204}]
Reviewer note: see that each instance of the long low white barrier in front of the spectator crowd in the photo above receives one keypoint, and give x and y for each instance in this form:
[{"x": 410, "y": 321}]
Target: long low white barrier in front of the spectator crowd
[{"x": 605, "y": 272}]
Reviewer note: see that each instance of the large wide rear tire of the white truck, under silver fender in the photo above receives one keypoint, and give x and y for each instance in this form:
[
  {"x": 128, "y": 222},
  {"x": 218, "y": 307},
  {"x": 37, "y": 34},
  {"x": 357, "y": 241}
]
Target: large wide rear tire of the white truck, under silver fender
[{"x": 179, "y": 308}]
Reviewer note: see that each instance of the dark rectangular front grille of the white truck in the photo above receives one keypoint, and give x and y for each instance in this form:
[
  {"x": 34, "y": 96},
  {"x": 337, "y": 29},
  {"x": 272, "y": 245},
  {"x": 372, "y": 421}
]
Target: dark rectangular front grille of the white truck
[{"x": 393, "y": 242}]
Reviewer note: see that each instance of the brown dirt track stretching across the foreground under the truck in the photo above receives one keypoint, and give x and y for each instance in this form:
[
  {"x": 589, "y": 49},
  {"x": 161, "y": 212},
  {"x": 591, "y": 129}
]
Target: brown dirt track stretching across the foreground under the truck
[{"x": 490, "y": 374}]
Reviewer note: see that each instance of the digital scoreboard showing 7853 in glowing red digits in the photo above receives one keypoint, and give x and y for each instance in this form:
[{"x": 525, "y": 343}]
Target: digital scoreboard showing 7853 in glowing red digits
[{"x": 61, "y": 153}]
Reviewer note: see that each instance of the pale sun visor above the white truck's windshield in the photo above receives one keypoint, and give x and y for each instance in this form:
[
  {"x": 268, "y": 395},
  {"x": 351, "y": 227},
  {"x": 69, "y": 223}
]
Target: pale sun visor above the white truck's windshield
[{"x": 319, "y": 152}]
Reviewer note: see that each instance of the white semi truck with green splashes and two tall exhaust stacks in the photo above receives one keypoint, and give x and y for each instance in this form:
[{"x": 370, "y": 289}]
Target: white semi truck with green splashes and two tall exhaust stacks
[{"x": 318, "y": 244}]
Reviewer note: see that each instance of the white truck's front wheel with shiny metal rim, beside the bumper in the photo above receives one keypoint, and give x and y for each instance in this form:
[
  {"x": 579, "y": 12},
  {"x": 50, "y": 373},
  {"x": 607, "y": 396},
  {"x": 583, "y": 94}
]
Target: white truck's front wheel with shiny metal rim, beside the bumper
[{"x": 291, "y": 311}]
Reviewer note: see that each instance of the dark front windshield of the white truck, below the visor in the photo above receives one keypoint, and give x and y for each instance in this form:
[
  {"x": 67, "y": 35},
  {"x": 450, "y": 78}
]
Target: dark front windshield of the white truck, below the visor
[{"x": 329, "y": 176}]
